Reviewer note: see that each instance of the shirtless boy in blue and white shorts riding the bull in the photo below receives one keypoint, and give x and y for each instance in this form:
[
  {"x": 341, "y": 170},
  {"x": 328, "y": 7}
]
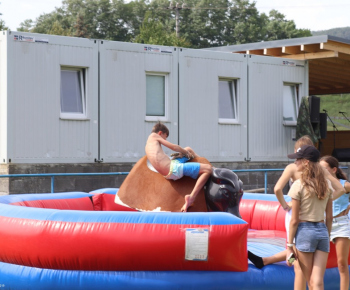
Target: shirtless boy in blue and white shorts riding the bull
[{"x": 178, "y": 167}]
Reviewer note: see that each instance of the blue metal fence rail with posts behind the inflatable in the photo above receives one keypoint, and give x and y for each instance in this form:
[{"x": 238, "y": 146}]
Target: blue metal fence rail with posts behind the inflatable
[{"x": 53, "y": 175}]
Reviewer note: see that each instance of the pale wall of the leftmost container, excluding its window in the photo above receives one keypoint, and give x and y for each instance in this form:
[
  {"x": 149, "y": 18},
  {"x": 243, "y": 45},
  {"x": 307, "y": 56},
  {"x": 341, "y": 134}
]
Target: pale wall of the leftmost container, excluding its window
[{"x": 37, "y": 132}]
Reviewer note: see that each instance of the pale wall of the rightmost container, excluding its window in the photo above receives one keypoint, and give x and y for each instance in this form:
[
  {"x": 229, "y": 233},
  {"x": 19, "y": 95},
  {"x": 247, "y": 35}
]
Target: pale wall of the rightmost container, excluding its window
[{"x": 269, "y": 139}]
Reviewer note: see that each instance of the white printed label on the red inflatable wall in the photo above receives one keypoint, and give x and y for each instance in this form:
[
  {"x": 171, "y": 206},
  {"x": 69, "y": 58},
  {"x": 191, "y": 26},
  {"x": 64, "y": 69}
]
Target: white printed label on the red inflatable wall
[{"x": 197, "y": 244}]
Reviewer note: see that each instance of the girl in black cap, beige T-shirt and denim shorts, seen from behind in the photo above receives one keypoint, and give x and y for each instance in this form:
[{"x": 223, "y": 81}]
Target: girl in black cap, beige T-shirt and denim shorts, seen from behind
[{"x": 311, "y": 199}]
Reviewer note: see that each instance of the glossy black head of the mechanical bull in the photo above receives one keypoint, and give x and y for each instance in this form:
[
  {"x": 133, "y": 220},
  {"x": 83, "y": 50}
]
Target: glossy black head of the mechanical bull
[{"x": 223, "y": 191}]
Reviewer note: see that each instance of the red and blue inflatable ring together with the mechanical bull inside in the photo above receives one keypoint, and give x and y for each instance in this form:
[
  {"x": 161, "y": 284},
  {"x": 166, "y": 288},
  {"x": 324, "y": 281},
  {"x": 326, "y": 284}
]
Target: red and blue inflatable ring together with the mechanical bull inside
[{"x": 86, "y": 241}]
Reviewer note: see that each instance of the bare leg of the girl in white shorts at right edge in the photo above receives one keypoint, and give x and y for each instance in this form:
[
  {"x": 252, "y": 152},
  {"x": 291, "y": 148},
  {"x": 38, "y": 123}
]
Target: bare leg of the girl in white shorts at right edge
[{"x": 342, "y": 248}]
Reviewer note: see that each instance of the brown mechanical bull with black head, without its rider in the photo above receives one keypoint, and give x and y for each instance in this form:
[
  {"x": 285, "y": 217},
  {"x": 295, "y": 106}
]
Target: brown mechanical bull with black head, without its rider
[{"x": 147, "y": 190}]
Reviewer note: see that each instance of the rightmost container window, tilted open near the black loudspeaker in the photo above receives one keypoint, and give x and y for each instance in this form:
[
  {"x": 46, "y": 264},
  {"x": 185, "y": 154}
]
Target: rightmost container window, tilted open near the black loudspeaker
[{"x": 290, "y": 103}]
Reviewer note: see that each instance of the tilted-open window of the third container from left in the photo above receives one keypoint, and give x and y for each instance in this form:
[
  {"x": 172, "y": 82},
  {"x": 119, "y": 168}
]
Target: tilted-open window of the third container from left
[{"x": 228, "y": 101}]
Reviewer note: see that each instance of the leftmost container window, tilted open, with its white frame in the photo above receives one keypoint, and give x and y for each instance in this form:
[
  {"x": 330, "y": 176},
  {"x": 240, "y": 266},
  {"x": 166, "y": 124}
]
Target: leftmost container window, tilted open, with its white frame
[{"x": 73, "y": 93}]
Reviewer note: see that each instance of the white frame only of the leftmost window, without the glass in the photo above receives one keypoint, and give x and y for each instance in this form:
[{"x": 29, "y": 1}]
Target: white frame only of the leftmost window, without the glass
[{"x": 82, "y": 79}]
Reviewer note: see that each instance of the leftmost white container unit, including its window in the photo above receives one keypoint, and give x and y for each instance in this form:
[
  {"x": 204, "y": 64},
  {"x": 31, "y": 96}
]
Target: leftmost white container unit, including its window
[{"x": 48, "y": 99}]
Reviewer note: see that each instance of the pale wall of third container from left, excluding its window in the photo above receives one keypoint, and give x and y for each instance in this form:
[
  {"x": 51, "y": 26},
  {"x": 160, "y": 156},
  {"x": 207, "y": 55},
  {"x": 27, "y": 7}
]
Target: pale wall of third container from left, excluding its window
[{"x": 199, "y": 114}]
